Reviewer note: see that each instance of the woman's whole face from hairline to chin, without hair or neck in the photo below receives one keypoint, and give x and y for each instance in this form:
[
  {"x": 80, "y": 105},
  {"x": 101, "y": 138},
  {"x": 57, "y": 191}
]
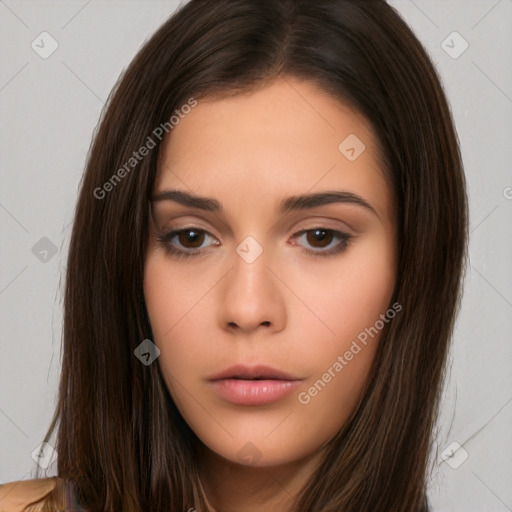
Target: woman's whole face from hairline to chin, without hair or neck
[{"x": 302, "y": 292}]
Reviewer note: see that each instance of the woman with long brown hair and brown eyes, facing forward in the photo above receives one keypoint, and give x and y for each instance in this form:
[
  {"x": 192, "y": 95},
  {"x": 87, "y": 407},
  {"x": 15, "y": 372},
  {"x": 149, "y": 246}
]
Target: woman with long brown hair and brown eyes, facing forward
[{"x": 264, "y": 270}]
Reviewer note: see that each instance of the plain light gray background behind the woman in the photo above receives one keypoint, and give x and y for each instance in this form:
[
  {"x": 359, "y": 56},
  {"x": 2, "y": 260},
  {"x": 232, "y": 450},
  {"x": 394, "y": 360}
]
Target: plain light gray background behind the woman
[{"x": 49, "y": 108}]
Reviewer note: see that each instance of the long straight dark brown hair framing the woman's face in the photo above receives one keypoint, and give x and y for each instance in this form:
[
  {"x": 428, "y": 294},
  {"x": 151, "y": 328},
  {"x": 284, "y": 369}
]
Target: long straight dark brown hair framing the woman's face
[{"x": 120, "y": 438}]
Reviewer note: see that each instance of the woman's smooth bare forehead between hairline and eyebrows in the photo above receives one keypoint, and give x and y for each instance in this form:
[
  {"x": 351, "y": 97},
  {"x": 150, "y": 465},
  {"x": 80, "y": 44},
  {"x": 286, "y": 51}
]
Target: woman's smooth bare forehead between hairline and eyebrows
[{"x": 289, "y": 136}]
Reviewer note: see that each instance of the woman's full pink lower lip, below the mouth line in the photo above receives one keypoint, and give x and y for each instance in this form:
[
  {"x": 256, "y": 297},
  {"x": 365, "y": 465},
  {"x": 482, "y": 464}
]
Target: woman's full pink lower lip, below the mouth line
[{"x": 254, "y": 392}]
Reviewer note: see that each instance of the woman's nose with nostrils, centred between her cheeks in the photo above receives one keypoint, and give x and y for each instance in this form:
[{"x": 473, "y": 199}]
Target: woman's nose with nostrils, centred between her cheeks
[{"x": 251, "y": 297}]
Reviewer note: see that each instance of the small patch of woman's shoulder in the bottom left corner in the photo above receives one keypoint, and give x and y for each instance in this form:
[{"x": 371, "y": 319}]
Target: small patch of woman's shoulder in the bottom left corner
[{"x": 14, "y": 496}]
